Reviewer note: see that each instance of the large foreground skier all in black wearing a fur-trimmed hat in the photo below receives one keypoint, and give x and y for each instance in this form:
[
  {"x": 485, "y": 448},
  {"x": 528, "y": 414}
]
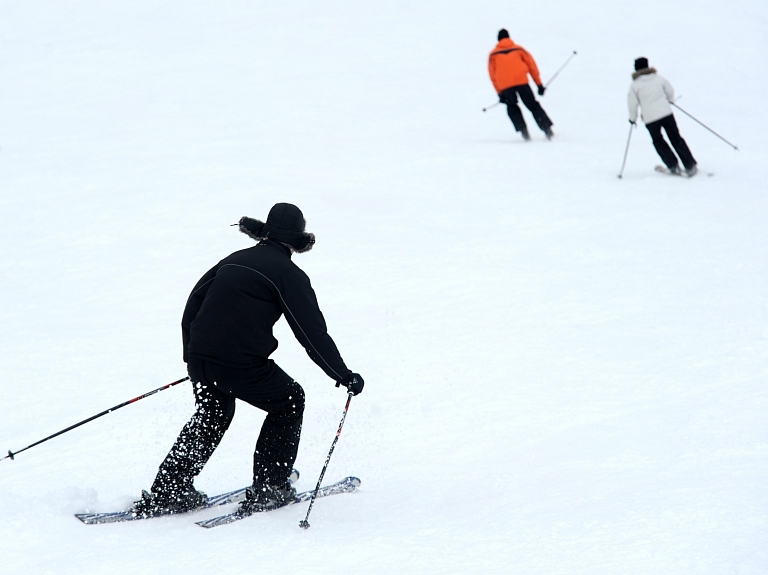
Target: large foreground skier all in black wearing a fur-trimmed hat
[{"x": 227, "y": 337}]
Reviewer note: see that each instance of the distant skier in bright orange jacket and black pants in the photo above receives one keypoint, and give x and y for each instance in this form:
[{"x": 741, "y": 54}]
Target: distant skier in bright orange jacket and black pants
[{"x": 509, "y": 66}]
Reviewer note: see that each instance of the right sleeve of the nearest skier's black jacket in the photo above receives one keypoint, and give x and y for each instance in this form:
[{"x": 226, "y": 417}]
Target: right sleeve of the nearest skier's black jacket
[{"x": 302, "y": 312}]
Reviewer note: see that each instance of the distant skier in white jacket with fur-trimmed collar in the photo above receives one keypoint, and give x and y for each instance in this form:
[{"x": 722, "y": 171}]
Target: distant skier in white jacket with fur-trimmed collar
[{"x": 653, "y": 93}]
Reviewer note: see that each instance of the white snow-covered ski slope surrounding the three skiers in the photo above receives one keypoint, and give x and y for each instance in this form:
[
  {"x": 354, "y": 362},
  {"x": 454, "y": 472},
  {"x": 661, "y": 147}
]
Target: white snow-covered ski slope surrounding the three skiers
[{"x": 565, "y": 372}]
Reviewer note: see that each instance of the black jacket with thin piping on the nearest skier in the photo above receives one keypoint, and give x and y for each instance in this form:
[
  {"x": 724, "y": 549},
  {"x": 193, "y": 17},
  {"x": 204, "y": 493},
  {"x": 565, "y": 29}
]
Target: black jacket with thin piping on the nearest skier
[{"x": 231, "y": 311}]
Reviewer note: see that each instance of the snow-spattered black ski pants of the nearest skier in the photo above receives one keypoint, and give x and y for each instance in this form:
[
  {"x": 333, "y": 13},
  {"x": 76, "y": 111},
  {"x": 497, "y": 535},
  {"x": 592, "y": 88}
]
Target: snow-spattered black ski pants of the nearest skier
[{"x": 266, "y": 387}]
